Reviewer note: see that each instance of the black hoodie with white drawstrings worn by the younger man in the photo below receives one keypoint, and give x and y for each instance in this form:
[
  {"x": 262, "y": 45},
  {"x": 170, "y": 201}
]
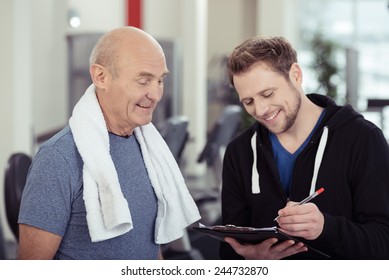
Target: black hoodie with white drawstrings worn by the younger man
[{"x": 353, "y": 167}]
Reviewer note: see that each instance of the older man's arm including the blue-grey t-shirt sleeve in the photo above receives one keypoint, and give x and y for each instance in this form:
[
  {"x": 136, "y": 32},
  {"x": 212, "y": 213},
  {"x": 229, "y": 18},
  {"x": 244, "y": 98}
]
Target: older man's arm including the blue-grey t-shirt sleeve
[{"x": 45, "y": 207}]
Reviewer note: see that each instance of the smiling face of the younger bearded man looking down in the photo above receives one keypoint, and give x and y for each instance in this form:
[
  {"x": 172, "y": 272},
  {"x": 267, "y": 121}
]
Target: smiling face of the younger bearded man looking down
[{"x": 269, "y": 97}]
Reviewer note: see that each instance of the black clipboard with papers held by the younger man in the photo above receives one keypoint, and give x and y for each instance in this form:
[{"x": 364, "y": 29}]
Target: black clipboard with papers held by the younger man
[{"x": 250, "y": 235}]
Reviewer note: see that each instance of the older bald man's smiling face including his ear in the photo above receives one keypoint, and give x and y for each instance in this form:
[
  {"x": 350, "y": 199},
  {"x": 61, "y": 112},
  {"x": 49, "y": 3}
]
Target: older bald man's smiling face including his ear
[{"x": 129, "y": 98}]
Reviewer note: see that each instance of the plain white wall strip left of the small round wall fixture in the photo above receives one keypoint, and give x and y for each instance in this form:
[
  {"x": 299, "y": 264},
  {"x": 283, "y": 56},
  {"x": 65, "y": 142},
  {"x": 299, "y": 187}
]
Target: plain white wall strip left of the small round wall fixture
[{"x": 48, "y": 54}]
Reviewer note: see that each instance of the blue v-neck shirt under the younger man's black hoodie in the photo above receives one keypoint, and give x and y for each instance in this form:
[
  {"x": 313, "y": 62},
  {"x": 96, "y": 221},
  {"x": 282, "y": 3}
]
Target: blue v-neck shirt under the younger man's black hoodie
[{"x": 285, "y": 161}]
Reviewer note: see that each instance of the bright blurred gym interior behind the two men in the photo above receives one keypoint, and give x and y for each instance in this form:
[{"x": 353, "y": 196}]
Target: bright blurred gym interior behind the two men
[{"x": 45, "y": 45}]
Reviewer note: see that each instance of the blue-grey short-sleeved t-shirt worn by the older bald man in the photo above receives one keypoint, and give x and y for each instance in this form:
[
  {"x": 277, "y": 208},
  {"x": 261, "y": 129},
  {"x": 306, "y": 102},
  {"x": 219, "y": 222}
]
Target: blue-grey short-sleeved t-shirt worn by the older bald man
[{"x": 53, "y": 200}]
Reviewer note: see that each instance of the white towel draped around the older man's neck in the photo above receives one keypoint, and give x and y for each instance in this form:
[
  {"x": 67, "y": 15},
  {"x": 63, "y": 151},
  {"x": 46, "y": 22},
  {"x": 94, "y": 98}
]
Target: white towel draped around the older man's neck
[{"x": 108, "y": 214}]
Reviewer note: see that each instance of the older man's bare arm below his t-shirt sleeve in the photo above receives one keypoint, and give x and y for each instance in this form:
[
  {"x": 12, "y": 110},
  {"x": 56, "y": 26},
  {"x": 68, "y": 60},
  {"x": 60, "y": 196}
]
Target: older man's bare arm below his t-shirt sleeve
[{"x": 37, "y": 244}]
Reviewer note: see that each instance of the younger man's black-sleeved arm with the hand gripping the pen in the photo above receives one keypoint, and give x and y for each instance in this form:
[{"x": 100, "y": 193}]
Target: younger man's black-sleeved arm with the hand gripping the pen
[{"x": 354, "y": 221}]
